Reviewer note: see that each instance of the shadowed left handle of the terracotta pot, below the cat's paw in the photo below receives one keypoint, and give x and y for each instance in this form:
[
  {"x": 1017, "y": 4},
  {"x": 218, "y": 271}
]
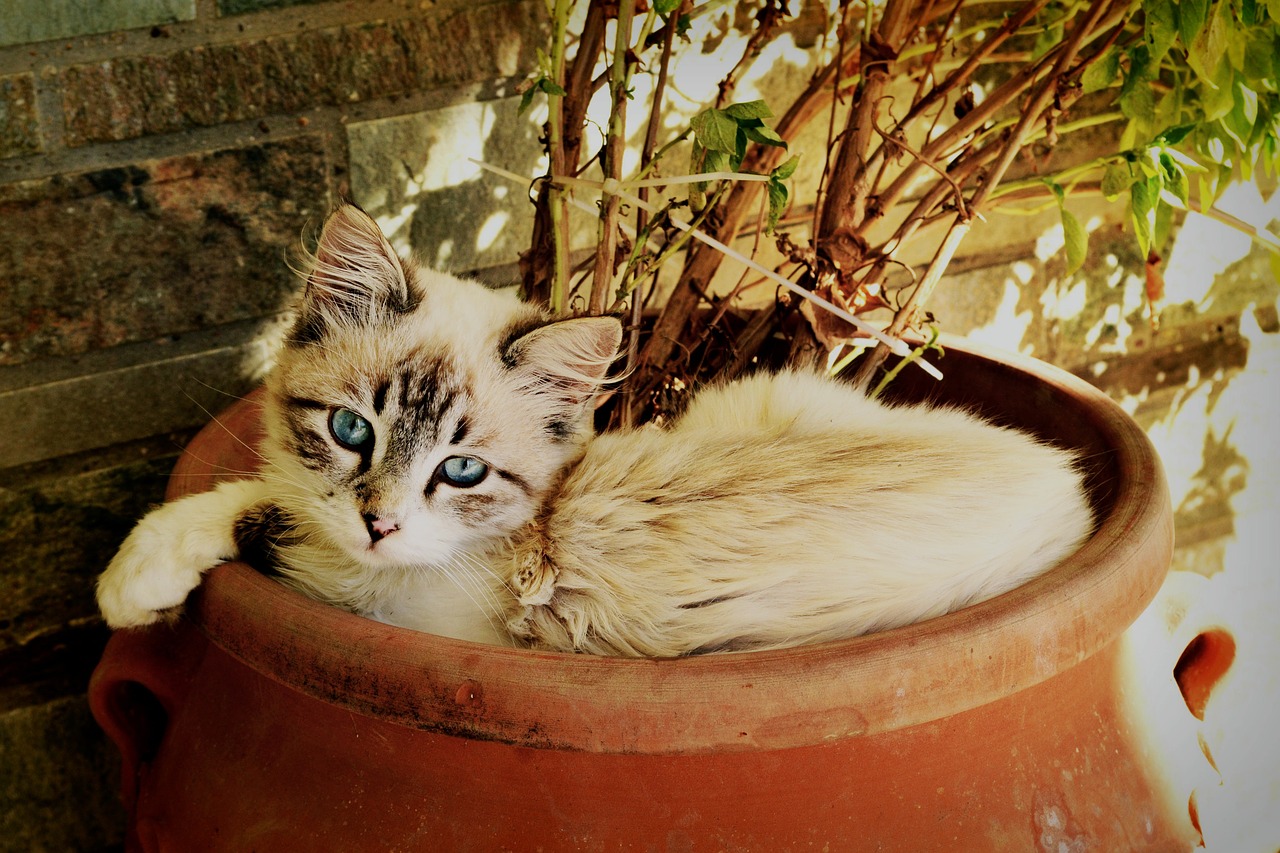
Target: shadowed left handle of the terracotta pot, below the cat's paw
[{"x": 138, "y": 687}]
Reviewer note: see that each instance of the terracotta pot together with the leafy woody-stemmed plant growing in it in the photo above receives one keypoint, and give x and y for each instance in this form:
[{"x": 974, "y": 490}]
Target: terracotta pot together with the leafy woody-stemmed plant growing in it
[{"x": 267, "y": 720}]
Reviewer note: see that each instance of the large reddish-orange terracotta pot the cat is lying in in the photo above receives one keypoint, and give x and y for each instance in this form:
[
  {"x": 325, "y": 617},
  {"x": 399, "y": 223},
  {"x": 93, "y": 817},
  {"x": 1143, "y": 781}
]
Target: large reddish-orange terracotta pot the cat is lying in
[{"x": 267, "y": 722}]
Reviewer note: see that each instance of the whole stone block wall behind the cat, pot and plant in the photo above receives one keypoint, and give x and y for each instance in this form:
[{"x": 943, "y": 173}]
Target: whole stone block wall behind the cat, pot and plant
[{"x": 159, "y": 161}]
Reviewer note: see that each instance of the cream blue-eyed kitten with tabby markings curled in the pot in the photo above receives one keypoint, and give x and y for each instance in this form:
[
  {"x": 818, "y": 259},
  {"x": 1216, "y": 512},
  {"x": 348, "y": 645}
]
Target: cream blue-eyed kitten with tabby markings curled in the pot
[{"x": 431, "y": 462}]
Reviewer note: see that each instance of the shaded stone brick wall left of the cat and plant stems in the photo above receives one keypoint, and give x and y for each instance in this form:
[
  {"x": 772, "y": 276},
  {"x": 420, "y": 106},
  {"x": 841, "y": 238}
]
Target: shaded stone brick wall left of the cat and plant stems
[{"x": 158, "y": 159}]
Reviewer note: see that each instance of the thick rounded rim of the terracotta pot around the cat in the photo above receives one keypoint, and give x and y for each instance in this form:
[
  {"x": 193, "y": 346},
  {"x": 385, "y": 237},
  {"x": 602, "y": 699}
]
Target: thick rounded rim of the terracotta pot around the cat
[{"x": 742, "y": 701}]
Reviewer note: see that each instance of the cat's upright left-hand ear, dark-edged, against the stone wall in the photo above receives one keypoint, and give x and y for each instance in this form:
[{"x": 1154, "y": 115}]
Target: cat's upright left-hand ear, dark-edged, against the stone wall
[{"x": 355, "y": 277}]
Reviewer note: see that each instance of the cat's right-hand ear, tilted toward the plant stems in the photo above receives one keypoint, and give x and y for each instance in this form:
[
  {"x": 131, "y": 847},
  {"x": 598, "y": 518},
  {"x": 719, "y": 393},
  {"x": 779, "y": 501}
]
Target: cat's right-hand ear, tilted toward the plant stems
[{"x": 569, "y": 359}]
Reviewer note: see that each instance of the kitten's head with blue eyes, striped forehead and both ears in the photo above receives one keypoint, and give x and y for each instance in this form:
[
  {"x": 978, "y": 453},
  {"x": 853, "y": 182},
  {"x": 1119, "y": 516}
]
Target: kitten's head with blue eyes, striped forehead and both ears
[{"x": 414, "y": 417}]
